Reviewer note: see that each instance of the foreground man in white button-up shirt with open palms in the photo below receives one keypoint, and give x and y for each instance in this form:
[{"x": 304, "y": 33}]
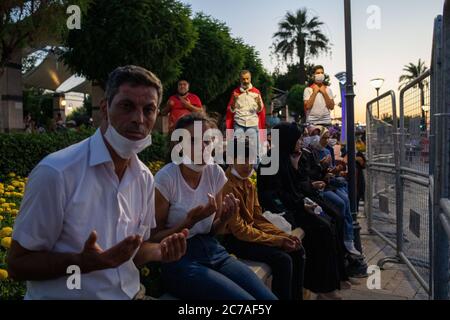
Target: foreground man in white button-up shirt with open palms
[{"x": 89, "y": 208}]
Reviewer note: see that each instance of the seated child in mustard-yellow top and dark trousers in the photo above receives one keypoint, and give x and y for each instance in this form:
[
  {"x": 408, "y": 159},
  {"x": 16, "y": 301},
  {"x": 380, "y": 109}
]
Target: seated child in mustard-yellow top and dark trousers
[{"x": 253, "y": 237}]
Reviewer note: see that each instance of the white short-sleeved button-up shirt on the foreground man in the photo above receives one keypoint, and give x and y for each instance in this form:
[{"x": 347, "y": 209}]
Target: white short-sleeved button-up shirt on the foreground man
[{"x": 69, "y": 194}]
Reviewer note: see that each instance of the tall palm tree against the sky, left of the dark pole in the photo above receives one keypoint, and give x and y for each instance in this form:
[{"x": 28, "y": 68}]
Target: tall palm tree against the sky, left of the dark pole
[{"x": 300, "y": 37}]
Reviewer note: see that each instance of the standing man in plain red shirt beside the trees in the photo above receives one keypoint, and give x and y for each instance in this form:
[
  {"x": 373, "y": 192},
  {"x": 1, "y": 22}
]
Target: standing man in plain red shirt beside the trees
[{"x": 181, "y": 104}]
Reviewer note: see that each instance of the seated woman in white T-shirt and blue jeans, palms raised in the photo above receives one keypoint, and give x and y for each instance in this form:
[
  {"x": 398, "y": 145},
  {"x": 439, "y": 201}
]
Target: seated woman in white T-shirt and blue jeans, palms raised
[{"x": 190, "y": 196}]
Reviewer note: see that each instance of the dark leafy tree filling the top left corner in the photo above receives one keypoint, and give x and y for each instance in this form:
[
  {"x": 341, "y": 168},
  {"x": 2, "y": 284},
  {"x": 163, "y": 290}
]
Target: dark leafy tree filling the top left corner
[{"x": 32, "y": 24}]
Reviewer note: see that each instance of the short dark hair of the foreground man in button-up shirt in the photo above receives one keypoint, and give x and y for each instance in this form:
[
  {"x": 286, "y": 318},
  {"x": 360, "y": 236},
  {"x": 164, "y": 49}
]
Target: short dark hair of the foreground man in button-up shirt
[{"x": 134, "y": 76}]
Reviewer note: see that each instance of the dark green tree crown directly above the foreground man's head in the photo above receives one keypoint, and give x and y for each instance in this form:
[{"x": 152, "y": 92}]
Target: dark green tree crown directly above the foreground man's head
[{"x": 155, "y": 34}]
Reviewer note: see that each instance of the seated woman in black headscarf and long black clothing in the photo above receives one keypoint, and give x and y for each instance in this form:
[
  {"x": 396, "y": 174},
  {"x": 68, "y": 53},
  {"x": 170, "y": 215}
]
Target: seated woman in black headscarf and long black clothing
[{"x": 285, "y": 192}]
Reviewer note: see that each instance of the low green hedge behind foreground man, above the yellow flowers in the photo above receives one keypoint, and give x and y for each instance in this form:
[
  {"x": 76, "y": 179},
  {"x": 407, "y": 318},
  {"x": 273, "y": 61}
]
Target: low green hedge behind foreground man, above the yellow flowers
[{"x": 22, "y": 152}]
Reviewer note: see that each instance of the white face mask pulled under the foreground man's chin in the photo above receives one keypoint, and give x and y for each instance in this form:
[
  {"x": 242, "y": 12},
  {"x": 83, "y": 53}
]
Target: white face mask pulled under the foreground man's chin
[{"x": 124, "y": 147}]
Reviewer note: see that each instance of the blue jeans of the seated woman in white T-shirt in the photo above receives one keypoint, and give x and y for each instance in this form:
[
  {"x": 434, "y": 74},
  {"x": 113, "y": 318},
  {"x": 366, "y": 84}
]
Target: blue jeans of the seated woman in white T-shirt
[{"x": 208, "y": 272}]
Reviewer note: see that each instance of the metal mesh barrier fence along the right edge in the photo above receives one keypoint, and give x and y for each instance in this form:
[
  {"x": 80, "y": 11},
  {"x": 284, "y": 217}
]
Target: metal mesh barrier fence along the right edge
[{"x": 407, "y": 199}]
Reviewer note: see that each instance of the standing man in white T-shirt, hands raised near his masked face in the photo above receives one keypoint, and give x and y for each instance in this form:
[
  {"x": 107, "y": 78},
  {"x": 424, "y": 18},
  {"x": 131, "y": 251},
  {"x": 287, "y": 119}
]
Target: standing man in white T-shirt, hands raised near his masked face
[{"x": 318, "y": 100}]
